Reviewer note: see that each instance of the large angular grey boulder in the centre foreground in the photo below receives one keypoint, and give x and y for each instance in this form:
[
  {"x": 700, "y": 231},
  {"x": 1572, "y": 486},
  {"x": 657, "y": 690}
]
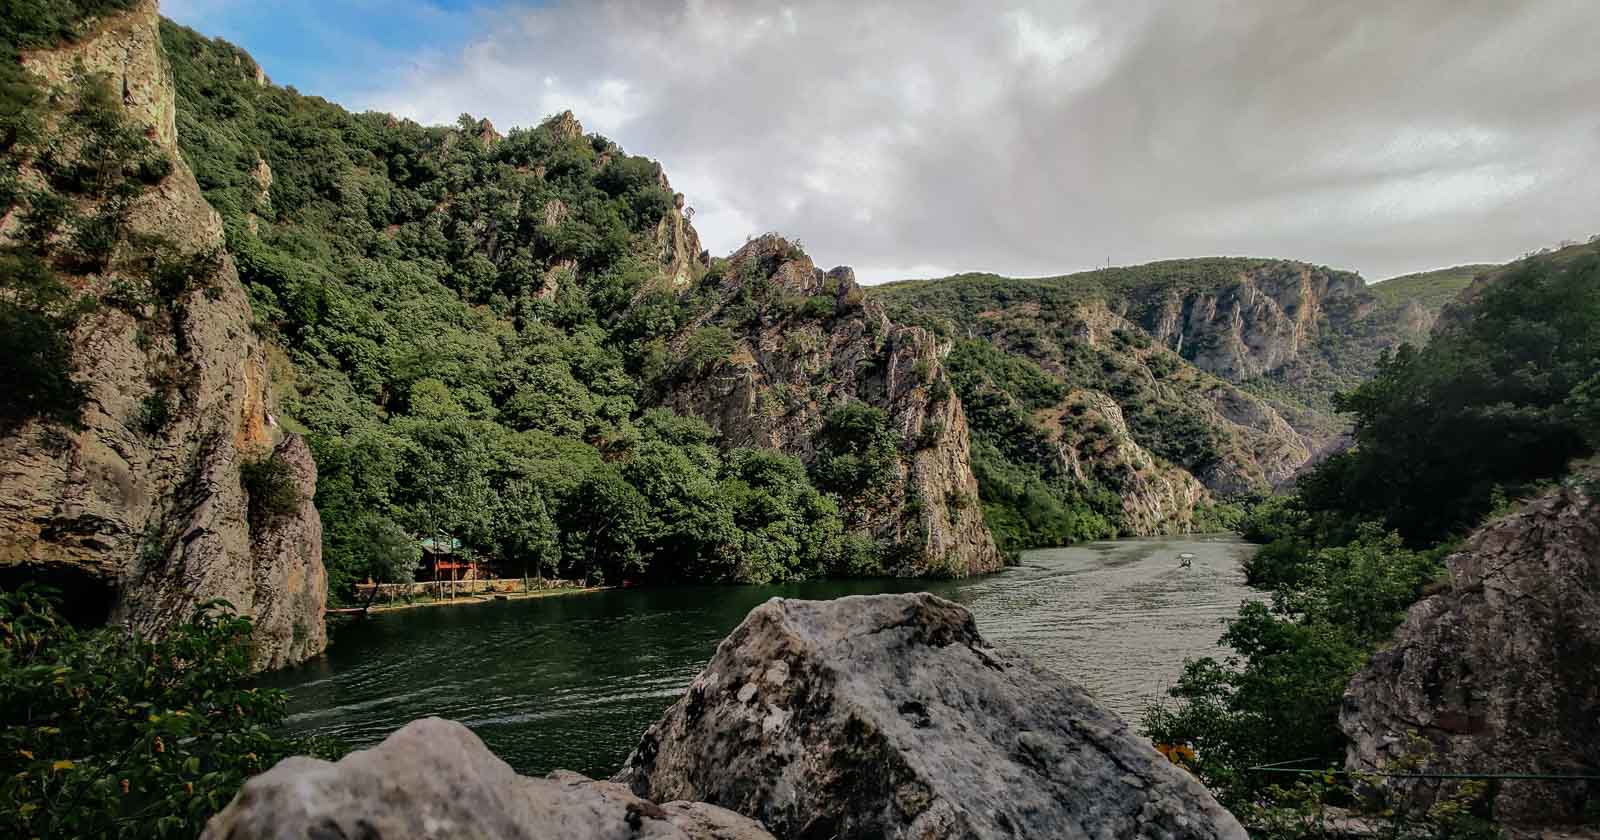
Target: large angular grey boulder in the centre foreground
[{"x": 889, "y": 716}]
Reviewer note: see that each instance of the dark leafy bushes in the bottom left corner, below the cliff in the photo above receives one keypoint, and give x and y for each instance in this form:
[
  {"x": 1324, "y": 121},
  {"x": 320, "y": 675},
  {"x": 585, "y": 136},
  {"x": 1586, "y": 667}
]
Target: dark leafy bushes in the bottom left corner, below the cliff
[{"x": 110, "y": 735}]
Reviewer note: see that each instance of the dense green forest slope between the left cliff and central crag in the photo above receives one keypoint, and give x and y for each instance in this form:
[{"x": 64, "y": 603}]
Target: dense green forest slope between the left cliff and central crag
[{"x": 471, "y": 329}]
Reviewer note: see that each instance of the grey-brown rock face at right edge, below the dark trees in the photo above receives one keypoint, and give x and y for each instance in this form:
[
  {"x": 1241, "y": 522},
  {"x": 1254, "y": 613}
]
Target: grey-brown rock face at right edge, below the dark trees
[{"x": 1503, "y": 671}]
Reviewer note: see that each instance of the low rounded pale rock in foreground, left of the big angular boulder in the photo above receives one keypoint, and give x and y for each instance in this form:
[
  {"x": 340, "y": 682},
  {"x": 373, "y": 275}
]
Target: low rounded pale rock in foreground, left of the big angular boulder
[{"x": 436, "y": 780}]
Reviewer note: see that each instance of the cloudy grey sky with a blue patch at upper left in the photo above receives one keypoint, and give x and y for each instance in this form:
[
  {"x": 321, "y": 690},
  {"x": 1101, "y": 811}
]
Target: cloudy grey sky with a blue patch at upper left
[{"x": 1025, "y": 138}]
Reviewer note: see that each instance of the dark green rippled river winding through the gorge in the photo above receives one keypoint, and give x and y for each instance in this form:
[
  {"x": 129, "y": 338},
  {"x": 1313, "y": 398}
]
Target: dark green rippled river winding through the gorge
[{"x": 572, "y": 681}]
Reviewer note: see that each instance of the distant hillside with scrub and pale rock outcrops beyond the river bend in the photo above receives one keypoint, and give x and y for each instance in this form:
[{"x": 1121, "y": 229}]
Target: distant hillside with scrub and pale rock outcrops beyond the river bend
[{"x": 1100, "y": 398}]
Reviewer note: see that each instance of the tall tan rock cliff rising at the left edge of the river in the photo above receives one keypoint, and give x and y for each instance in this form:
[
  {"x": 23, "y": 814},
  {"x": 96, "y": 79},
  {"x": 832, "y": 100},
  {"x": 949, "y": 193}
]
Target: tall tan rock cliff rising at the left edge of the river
[{"x": 140, "y": 511}]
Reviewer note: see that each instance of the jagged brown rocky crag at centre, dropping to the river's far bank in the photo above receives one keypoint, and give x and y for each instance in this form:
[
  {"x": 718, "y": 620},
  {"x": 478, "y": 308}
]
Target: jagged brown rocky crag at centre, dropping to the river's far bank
[{"x": 804, "y": 342}]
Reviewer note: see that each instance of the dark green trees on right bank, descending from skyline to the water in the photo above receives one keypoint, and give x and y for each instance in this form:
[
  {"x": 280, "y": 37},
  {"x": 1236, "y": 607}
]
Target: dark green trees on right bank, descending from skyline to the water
[{"x": 1500, "y": 401}]
